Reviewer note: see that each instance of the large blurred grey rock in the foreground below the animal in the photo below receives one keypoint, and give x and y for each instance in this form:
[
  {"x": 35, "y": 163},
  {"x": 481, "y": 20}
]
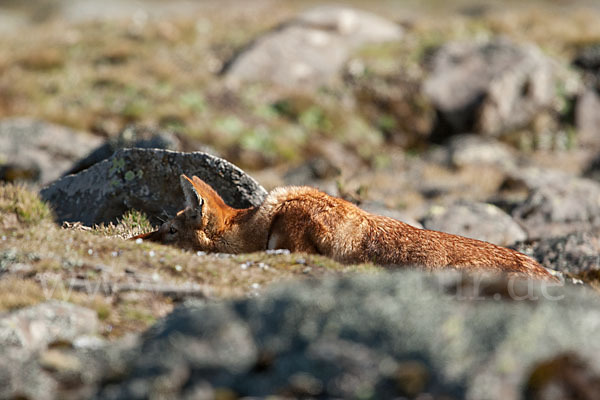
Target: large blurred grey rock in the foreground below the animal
[{"x": 382, "y": 336}]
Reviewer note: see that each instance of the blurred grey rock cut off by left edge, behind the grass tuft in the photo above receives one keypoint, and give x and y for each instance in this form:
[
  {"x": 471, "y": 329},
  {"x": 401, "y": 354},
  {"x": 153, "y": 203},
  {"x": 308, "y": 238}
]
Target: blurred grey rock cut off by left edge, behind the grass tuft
[{"x": 37, "y": 151}]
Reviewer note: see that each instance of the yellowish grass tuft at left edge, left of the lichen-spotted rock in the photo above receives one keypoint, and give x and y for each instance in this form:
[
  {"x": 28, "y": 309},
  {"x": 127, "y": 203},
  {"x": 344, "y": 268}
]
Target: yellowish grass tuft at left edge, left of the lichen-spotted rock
[{"x": 26, "y": 205}]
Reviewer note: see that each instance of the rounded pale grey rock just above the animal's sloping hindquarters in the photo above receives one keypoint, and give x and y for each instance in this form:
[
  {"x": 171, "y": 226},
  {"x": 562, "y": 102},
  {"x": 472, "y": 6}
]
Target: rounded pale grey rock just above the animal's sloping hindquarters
[{"x": 475, "y": 220}]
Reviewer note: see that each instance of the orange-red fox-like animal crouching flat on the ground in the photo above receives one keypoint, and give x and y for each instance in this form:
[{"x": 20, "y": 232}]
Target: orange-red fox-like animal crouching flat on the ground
[{"x": 304, "y": 219}]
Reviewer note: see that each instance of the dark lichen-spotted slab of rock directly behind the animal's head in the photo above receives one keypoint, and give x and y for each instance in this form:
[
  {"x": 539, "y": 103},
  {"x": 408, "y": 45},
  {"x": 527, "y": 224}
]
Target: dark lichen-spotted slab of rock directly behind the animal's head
[{"x": 145, "y": 180}]
